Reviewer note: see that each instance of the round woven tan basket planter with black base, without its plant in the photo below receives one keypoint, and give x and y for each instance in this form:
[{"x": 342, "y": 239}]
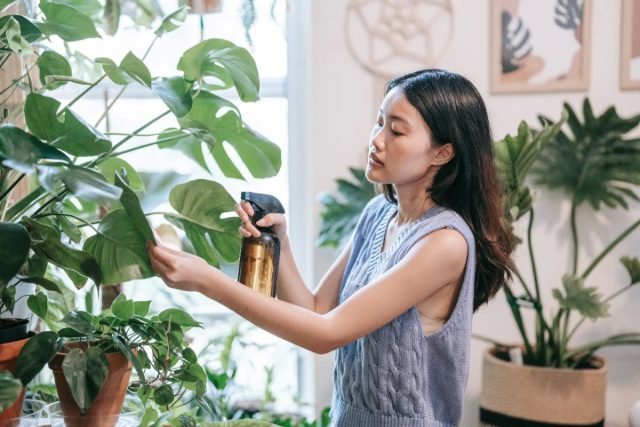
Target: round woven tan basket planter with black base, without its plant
[{"x": 517, "y": 395}]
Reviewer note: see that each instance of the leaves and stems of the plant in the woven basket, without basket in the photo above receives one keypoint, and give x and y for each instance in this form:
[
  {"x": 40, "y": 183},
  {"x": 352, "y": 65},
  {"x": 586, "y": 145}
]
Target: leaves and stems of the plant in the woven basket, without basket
[{"x": 592, "y": 163}]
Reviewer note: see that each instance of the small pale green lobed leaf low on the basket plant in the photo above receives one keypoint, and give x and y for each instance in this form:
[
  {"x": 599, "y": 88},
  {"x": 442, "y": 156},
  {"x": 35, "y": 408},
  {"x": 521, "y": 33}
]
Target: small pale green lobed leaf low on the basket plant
[{"x": 578, "y": 297}]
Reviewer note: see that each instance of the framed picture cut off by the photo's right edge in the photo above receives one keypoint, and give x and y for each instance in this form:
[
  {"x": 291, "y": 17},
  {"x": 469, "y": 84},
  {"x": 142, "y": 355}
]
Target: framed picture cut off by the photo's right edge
[{"x": 630, "y": 45}]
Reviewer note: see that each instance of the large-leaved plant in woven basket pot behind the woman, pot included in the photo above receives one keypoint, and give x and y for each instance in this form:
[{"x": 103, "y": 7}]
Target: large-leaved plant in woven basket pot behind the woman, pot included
[{"x": 548, "y": 380}]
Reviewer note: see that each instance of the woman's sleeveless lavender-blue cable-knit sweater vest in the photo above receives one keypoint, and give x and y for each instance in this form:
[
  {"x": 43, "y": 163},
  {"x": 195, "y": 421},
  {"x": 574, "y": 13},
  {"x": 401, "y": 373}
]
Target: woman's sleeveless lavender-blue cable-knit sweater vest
[{"x": 397, "y": 376}]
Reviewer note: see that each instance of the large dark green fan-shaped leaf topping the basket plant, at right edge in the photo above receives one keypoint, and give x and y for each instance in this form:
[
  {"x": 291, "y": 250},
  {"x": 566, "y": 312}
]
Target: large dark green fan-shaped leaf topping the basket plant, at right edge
[{"x": 592, "y": 162}]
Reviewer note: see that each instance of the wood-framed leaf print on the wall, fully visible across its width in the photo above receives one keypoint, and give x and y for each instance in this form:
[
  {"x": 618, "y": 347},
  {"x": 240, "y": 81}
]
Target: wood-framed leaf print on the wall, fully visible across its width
[{"x": 540, "y": 45}]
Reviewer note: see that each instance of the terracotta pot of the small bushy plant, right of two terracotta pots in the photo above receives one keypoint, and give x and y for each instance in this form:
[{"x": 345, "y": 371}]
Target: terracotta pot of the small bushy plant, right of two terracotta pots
[{"x": 105, "y": 409}]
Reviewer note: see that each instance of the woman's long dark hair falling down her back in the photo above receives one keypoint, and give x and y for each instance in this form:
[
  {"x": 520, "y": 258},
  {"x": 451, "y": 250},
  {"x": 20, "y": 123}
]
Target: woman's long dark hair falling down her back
[{"x": 468, "y": 184}]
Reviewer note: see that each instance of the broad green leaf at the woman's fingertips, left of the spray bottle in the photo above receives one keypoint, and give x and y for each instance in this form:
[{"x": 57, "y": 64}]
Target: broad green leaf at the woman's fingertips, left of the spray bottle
[{"x": 119, "y": 249}]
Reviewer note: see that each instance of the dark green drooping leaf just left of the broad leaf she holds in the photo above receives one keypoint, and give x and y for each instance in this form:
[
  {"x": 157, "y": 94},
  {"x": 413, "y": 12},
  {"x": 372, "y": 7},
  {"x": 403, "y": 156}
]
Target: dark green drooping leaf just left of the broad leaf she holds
[{"x": 46, "y": 243}]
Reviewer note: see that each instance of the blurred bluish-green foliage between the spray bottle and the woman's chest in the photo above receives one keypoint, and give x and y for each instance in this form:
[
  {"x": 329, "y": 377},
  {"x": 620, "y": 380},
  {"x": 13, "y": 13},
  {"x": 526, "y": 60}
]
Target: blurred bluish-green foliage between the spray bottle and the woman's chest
[{"x": 340, "y": 214}]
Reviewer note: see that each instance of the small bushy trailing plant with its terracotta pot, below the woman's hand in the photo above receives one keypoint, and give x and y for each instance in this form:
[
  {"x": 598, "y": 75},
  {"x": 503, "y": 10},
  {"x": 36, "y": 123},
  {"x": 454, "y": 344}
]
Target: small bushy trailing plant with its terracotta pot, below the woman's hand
[{"x": 92, "y": 369}]
